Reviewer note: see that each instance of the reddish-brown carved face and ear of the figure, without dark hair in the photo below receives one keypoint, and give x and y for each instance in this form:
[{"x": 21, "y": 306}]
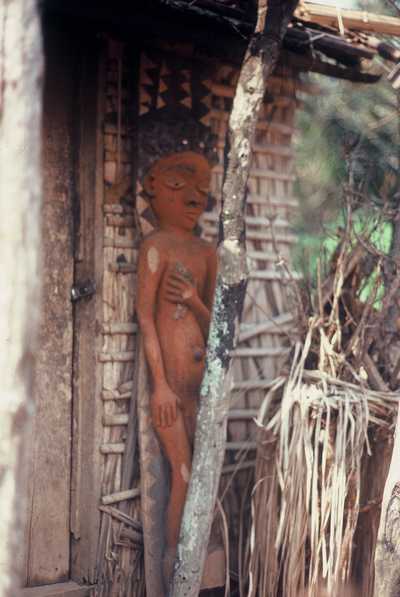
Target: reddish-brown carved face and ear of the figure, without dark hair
[{"x": 178, "y": 185}]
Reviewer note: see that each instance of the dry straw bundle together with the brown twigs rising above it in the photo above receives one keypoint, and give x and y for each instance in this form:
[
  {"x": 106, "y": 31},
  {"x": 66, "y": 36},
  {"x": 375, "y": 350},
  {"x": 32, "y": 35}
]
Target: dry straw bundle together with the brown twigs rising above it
[{"x": 314, "y": 428}]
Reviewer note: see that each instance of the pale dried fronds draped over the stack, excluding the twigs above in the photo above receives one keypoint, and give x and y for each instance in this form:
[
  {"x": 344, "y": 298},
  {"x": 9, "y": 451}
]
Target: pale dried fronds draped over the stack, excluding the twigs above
[{"x": 306, "y": 497}]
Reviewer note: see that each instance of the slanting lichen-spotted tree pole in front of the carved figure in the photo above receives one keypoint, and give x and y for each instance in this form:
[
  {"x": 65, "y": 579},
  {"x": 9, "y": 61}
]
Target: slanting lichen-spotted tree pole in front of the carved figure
[{"x": 259, "y": 62}]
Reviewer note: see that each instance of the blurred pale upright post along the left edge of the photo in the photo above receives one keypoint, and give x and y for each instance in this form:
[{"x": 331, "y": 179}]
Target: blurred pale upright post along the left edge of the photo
[{"x": 20, "y": 195}]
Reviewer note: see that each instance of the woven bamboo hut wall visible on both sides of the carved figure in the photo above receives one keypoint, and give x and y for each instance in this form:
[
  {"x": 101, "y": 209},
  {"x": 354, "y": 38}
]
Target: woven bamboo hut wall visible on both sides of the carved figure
[{"x": 266, "y": 317}]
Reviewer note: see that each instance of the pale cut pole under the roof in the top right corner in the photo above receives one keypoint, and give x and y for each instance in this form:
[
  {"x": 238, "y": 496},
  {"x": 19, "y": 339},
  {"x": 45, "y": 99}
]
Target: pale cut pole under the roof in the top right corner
[{"x": 356, "y": 20}]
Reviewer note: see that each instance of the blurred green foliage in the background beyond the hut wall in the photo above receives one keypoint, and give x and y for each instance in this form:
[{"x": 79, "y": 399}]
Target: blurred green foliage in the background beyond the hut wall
[{"x": 347, "y": 135}]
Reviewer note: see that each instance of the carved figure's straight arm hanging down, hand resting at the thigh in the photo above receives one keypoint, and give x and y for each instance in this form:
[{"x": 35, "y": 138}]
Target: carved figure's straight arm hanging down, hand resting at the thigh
[{"x": 150, "y": 269}]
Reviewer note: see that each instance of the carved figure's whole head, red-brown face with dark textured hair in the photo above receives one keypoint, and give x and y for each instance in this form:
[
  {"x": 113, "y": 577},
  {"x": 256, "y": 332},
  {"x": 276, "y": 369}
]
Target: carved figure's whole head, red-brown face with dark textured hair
[{"x": 176, "y": 154}]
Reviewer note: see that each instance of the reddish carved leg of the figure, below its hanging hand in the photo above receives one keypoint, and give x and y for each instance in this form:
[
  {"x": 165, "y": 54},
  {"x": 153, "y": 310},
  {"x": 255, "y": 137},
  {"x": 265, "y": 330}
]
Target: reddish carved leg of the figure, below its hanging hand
[{"x": 177, "y": 449}]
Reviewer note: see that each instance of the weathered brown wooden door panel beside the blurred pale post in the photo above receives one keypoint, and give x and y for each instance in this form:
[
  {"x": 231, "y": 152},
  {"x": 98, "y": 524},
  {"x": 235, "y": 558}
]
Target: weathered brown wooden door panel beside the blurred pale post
[{"x": 47, "y": 533}]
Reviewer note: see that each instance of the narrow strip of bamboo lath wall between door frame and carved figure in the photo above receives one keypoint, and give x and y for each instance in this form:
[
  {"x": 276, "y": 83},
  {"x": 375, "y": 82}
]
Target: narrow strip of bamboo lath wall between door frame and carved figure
[{"x": 120, "y": 566}]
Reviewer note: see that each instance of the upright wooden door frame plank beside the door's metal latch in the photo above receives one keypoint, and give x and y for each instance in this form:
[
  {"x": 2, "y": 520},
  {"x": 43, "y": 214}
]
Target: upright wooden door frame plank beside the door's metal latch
[{"x": 87, "y": 429}]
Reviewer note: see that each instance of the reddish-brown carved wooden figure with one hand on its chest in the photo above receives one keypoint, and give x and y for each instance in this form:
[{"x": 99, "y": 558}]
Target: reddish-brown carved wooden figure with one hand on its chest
[{"x": 176, "y": 282}]
